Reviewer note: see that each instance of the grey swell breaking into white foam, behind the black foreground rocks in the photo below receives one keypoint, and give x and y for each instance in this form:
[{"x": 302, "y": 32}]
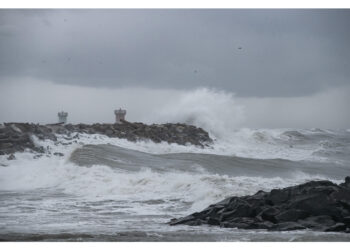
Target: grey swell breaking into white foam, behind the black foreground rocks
[{"x": 185, "y": 182}]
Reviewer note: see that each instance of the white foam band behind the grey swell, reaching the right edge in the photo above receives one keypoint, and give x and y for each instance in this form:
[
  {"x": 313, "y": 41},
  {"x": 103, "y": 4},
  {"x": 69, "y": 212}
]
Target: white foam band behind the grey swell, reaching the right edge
[{"x": 250, "y": 143}]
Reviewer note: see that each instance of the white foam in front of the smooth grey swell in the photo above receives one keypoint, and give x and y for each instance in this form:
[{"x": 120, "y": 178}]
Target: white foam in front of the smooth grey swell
[{"x": 102, "y": 182}]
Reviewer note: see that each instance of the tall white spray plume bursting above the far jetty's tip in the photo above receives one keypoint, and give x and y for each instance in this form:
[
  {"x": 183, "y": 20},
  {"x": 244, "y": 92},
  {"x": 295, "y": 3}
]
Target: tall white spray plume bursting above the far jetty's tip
[{"x": 213, "y": 110}]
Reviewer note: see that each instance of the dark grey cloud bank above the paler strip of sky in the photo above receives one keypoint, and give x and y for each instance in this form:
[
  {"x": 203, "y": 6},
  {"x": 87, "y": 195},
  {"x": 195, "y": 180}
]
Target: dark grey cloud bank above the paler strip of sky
[{"x": 251, "y": 53}]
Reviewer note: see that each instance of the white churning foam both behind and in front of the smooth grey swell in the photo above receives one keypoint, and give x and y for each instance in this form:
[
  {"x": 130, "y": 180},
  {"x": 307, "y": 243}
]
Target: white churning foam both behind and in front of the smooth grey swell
[{"x": 102, "y": 182}]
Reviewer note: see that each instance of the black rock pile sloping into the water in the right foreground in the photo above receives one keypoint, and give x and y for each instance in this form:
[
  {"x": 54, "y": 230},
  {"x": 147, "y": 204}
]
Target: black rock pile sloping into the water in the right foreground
[{"x": 316, "y": 205}]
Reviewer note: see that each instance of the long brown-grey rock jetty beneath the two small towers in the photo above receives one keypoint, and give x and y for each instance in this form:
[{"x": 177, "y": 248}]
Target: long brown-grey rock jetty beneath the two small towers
[{"x": 16, "y": 137}]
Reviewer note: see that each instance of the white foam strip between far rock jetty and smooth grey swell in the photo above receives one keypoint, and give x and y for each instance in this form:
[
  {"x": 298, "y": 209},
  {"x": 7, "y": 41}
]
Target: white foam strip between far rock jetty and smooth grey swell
[{"x": 249, "y": 143}]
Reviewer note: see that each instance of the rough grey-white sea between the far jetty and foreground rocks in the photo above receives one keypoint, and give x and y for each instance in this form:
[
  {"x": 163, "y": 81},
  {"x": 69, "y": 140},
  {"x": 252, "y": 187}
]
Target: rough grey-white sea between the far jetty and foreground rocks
[{"x": 111, "y": 189}]
